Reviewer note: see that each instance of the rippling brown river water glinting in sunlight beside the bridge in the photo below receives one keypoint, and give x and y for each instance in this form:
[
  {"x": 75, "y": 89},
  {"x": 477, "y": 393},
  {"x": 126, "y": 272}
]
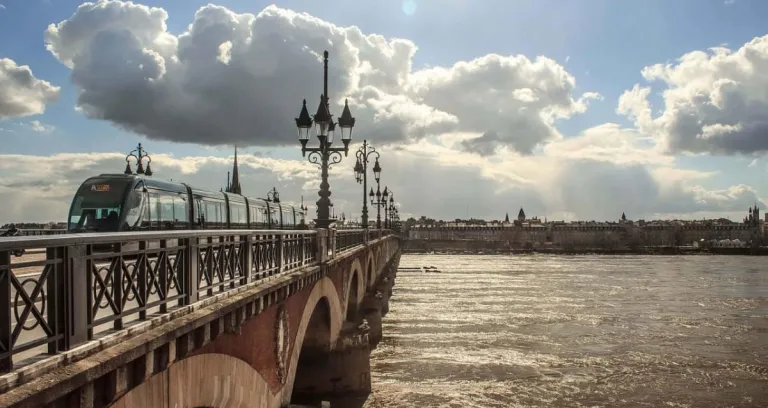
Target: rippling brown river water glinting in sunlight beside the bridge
[{"x": 575, "y": 331}]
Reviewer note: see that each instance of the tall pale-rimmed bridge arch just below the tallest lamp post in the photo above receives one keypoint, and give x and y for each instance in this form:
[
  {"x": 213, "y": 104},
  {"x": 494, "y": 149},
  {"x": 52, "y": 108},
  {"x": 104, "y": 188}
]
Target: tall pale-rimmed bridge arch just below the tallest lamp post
[{"x": 323, "y": 311}]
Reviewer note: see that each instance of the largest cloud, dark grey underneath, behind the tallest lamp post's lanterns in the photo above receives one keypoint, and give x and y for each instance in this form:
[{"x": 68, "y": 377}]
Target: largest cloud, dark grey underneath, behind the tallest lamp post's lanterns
[{"x": 240, "y": 78}]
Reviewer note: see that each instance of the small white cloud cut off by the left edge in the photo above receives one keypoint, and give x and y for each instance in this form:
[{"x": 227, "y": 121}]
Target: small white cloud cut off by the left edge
[{"x": 21, "y": 94}]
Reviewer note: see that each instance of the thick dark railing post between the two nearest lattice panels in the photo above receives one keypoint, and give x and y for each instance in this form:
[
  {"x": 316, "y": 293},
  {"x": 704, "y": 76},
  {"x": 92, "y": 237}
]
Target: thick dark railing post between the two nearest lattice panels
[{"x": 76, "y": 296}]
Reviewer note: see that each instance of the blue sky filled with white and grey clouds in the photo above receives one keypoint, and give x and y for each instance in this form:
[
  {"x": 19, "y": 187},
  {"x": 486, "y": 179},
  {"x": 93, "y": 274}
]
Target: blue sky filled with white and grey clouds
[{"x": 577, "y": 110}]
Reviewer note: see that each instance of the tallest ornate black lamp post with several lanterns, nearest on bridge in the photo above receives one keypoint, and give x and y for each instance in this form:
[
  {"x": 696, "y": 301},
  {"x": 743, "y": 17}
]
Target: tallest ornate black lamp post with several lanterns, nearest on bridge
[{"x": 324, "y": 153}]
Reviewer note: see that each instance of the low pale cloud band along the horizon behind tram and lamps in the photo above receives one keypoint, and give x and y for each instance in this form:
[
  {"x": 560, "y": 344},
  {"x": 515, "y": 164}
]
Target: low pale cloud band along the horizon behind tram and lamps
[{"x": 426, "y": 180}]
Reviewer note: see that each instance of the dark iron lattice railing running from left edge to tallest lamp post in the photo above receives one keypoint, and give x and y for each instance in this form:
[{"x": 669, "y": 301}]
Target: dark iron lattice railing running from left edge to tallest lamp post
[{"x": 88, "y": 283}]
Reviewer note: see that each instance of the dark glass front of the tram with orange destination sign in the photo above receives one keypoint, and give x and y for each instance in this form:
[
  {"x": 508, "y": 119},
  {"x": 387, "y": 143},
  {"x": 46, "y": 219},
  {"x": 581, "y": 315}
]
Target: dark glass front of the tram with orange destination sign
[{"x": 97, "y": 206}]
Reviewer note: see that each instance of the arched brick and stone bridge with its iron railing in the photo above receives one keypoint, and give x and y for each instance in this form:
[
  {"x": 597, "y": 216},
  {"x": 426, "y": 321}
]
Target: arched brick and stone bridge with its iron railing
[{"x": 124, "y": 319}]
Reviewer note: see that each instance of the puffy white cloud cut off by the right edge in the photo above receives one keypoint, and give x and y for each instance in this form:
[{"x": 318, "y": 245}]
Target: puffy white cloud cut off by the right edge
[{"x": 714, "y": 102}]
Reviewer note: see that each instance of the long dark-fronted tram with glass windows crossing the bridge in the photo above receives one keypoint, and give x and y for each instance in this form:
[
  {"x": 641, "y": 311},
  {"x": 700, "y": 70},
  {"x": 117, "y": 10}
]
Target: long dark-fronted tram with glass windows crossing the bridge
[{"x": 120, "y": 202}]
